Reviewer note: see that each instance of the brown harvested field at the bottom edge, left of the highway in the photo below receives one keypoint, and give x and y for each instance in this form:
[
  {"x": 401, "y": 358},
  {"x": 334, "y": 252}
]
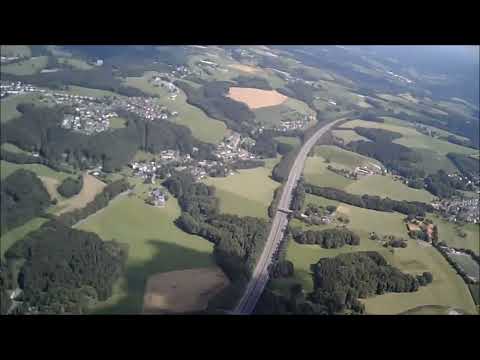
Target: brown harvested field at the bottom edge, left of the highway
[{"x": 183, "y": 290}]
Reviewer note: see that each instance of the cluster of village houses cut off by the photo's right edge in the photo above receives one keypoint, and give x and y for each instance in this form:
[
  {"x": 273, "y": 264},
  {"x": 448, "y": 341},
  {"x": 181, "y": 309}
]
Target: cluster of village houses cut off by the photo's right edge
[{"x": 464, "y": 210}]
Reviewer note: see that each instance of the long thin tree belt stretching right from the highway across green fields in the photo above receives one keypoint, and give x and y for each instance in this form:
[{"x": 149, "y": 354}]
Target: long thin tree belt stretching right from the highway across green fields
[{"x": 369, "y": 201}]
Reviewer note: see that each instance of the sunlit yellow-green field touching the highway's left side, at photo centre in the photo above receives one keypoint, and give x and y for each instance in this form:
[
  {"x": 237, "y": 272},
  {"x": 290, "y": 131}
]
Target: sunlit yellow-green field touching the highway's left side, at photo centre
[{"x": 247, "y": 193}]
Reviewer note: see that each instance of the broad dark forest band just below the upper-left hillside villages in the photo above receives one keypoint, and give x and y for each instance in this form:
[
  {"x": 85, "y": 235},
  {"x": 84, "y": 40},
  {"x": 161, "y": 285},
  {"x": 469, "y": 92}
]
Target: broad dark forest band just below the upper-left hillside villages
[{"x": 37, "y": 129}]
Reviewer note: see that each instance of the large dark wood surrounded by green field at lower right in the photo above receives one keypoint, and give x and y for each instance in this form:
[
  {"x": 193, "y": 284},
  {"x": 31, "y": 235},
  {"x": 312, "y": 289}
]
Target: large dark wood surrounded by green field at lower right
[{"x": 340, "y": 281}]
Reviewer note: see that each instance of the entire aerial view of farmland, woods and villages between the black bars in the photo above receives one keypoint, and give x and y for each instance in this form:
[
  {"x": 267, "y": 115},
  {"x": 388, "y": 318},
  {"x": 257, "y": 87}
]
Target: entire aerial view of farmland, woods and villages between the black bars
[{"x": 239, "y": 180}]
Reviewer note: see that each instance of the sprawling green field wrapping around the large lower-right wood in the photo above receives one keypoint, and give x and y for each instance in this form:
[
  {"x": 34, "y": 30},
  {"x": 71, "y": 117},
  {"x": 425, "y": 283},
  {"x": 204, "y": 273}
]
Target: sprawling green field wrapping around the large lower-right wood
[{"x": 447, "y": 289}]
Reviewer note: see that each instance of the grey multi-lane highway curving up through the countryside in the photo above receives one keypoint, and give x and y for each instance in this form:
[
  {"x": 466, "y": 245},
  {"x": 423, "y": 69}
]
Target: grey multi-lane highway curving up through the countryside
[{"x": 260, "y": 275}]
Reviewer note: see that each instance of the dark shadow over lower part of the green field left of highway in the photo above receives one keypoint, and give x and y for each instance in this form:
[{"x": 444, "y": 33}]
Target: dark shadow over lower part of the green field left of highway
[{"x": 165, "y": 257}]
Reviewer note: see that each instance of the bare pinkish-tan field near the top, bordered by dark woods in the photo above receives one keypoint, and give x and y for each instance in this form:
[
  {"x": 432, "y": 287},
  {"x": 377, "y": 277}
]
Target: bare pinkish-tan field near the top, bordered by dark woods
[{"x": 256, "y": 98}]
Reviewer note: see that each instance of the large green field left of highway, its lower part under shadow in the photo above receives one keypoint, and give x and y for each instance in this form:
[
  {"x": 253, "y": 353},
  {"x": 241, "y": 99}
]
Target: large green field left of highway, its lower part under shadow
[{"x": 155, "y": 245}]
